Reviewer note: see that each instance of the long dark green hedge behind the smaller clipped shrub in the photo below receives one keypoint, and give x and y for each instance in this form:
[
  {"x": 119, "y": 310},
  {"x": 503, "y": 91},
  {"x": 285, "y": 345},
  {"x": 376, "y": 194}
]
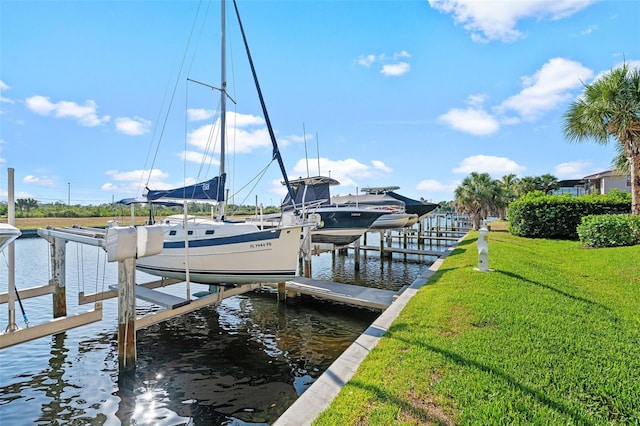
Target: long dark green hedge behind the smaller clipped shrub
[{"x": 557, "y": 216}]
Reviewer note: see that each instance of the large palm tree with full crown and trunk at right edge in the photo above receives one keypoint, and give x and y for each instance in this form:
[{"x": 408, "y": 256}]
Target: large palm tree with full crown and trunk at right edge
[{"x": 608, "y": 108}]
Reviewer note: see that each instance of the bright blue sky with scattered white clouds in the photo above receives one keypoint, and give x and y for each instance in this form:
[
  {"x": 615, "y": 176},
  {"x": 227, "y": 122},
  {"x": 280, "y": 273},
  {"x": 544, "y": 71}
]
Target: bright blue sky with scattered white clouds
[{"x": 408, "y": 93}]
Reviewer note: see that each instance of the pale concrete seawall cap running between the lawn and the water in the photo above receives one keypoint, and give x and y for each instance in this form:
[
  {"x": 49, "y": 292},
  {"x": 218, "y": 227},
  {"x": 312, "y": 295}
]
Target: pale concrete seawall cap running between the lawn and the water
[{"x": 320, "y": 394}]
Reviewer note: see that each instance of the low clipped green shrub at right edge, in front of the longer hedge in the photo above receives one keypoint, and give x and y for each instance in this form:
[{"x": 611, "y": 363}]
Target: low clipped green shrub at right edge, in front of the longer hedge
[{"x": 609, "y": 230}]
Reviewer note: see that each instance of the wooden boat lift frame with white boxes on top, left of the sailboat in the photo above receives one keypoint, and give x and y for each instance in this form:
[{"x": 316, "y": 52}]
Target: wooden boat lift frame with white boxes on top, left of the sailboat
[{"x": 123, "y": 244}]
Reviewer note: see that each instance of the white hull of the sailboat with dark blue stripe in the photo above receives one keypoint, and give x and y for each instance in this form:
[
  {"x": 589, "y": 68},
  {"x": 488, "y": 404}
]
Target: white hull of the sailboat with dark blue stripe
[{"x": 251, "y": 256}]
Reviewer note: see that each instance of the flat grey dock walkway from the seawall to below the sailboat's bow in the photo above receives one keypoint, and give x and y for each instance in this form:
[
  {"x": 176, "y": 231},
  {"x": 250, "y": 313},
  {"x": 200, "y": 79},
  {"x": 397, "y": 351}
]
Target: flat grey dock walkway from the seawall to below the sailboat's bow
[{"x": 367, "y": 297}]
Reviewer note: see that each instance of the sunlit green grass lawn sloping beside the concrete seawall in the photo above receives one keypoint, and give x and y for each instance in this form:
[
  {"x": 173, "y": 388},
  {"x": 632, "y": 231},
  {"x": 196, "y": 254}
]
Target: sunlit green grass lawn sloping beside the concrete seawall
[{"x": 550, "y": 337}]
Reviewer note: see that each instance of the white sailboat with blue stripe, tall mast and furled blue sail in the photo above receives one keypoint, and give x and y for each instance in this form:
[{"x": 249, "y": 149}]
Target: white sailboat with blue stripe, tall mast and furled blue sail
[{"x": 212, "y": 250}]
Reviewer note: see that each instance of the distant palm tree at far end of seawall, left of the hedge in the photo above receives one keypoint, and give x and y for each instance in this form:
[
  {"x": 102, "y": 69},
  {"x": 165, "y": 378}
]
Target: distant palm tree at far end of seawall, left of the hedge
[{"x": 476, "y": 196}]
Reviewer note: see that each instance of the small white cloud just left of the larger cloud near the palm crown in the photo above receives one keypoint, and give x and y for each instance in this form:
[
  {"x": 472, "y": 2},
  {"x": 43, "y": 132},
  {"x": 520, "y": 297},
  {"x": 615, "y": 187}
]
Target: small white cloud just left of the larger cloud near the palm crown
[{"x": 473, "y": 119}]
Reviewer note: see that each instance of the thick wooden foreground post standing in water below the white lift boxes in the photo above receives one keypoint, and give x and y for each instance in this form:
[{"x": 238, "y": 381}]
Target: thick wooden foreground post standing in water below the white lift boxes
[{"x": 126, "y": 315}]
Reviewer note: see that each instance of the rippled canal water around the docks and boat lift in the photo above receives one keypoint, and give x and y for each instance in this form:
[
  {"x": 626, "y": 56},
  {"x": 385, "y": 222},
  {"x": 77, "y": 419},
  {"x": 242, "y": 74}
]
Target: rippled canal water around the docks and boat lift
[{"x": 241, "y": 362}]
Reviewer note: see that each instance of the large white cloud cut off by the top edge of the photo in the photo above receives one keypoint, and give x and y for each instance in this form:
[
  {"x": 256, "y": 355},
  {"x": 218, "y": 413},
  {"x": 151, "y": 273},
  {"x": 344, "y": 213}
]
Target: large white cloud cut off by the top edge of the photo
[{"x": 490, "y": 20}]
